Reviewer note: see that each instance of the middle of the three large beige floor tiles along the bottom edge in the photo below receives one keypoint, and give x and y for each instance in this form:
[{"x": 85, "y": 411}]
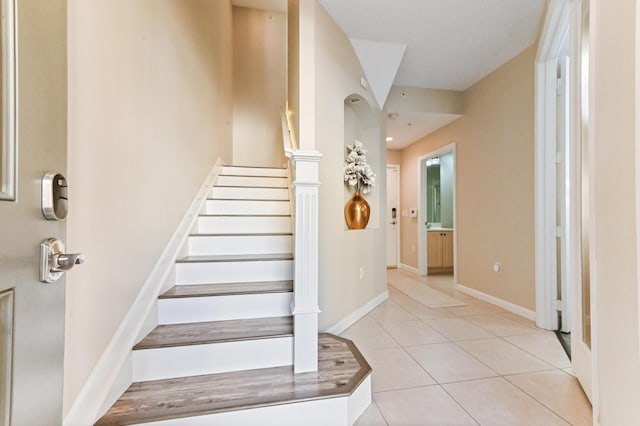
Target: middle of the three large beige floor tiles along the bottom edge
[{"x": 497, "y": 402}]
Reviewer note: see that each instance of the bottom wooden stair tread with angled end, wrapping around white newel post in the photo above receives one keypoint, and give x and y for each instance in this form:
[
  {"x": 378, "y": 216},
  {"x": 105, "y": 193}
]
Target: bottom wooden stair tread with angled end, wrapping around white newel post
[{"x": 341, "y": 369}]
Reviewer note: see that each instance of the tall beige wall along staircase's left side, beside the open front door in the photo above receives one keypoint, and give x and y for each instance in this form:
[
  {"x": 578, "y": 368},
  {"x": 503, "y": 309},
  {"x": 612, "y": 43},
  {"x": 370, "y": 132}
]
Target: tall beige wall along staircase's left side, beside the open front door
[{"x": 150, "y": 107}]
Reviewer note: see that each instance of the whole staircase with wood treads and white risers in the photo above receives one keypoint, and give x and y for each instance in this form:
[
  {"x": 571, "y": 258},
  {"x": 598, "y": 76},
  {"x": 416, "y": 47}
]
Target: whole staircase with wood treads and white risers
[{"x": 223, "y": 349}]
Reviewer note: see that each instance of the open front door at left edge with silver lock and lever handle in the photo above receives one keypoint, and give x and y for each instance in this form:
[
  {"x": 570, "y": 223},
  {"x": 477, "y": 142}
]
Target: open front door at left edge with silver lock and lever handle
[{"x": 32, "y": 319}]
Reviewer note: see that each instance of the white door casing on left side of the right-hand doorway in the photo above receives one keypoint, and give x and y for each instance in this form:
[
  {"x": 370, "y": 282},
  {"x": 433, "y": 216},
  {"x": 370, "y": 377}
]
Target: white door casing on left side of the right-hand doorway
[{"x": 555, "y": 31}]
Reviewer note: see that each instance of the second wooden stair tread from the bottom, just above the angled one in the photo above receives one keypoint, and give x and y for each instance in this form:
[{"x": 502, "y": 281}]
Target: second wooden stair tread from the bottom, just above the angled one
[{"x": 199, "y": 333}]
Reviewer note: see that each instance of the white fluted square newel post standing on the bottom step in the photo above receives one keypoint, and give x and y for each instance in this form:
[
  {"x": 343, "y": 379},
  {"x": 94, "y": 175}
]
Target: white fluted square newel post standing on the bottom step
[{"x": 305, "y": 296}]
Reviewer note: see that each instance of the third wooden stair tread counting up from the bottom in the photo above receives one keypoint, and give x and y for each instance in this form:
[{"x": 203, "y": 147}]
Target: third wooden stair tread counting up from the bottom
[{"x": 204, "y": 290}]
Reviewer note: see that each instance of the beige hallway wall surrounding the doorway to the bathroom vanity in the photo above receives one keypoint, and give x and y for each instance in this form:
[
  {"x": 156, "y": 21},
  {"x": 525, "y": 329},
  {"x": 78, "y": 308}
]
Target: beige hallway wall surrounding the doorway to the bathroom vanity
[{"x": 495, "y": 188}]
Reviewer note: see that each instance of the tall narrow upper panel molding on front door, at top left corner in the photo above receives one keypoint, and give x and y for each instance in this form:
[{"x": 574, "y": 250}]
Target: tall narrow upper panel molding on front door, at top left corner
[{"x": 8, "y": 113}]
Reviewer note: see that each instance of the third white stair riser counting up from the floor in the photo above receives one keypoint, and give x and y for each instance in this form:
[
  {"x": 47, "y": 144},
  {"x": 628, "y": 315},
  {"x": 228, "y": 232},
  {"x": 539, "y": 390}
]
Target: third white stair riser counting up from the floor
[{"x": 221, "y": 308}]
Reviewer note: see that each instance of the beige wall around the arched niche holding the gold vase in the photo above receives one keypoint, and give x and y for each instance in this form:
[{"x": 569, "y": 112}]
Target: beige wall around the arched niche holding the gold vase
[{"x": 342, "y": 253}]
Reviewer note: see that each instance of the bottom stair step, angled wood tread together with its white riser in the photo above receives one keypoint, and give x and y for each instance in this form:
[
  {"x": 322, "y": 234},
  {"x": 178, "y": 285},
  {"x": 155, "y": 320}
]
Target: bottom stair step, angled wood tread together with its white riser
[{"x": 225, "y": 398}]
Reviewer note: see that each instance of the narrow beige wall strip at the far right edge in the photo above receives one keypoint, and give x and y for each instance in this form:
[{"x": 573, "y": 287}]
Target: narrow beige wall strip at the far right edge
[{"x": 614, "y": 133}]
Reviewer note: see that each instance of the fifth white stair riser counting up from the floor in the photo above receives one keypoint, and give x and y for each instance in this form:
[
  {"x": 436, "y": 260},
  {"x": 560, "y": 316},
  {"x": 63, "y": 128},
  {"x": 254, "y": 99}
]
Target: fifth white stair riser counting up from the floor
[{"x": 240, "y": 244}]
